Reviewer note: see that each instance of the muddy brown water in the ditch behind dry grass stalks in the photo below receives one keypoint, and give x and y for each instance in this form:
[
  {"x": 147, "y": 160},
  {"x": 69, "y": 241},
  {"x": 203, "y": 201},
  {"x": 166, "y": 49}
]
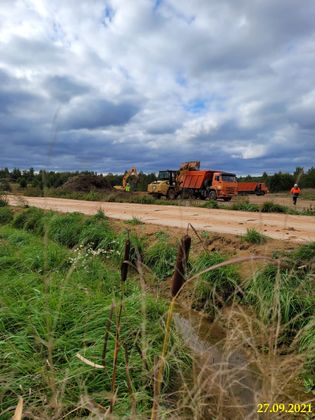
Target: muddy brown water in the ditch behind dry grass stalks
[{"x": 223, "y": 378}]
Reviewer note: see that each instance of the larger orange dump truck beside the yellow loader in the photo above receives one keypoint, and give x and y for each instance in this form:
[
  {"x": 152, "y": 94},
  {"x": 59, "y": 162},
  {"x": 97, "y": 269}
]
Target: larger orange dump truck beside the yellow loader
[{"x": 208, "y": 184}]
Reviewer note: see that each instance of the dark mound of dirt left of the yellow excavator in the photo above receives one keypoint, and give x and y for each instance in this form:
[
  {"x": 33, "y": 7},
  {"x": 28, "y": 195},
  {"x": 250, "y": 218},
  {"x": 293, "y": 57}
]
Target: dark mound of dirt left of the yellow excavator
[{"x": 85, "y": 183}]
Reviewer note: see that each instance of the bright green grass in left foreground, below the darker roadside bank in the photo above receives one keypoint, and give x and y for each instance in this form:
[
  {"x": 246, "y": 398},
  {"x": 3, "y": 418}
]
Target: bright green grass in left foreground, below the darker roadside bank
[{"x": 55, "y": 303}]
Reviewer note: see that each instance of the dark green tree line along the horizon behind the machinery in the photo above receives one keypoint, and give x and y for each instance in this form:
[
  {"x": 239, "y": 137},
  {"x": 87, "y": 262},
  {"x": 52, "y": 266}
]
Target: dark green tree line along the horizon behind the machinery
[{"x": 280, "y": 181}]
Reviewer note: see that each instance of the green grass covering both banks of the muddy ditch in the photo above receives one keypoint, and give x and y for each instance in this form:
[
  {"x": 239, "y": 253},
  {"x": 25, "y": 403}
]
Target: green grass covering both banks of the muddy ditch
[{"x": 62, "y": 294}]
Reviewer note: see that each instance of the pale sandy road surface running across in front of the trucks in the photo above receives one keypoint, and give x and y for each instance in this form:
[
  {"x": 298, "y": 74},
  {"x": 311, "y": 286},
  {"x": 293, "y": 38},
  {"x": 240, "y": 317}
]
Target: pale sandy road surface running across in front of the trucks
[{"x": 278, "y": 226}]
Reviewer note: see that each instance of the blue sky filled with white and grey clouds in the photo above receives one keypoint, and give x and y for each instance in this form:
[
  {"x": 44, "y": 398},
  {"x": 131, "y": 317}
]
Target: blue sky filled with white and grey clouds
[{"x": 103, "y": 85}]
